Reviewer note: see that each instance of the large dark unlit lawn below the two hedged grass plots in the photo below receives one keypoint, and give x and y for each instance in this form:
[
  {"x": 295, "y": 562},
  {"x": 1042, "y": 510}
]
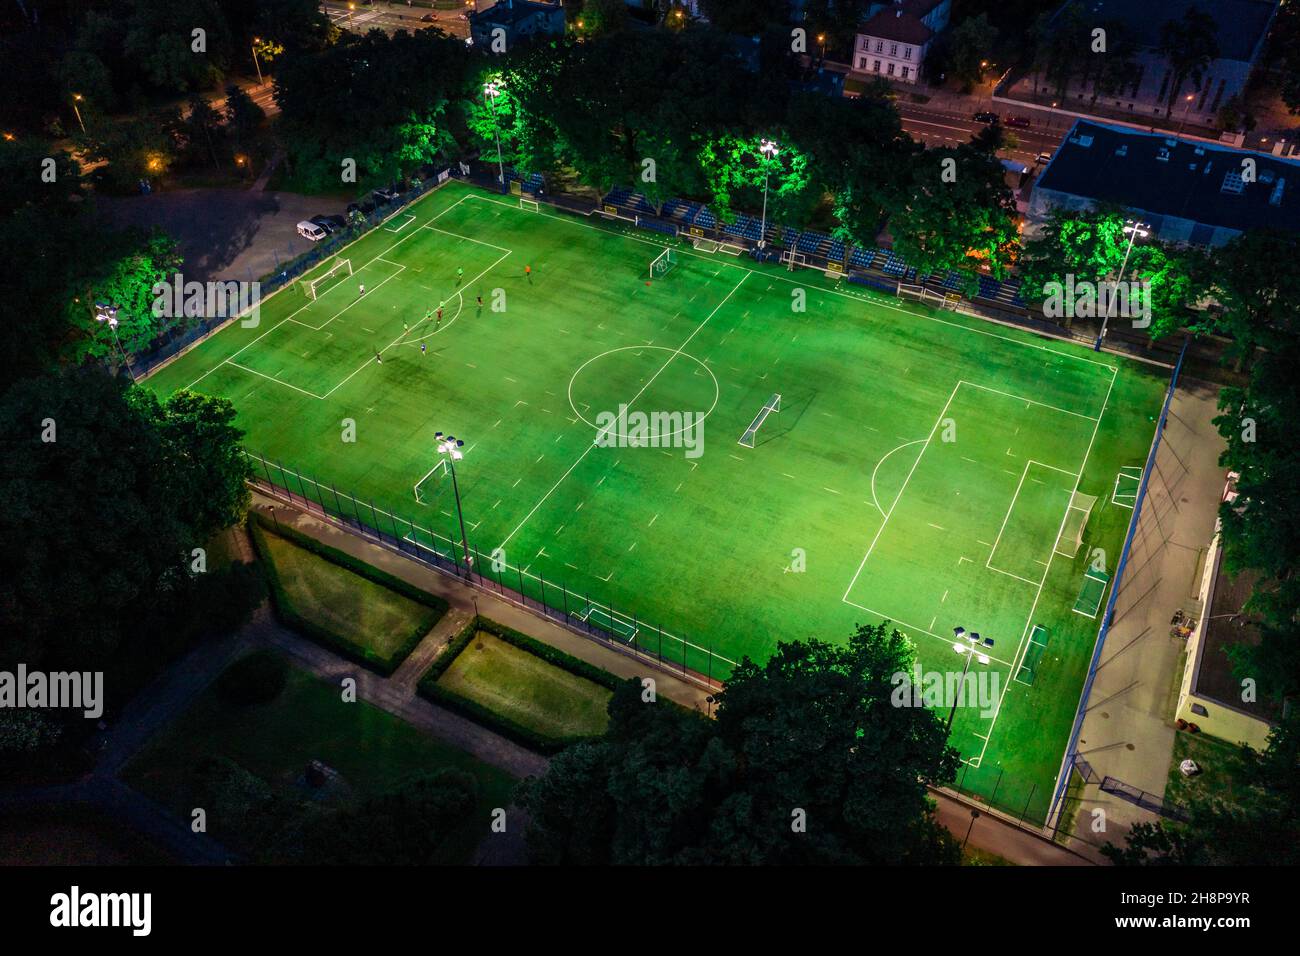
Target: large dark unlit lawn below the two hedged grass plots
[{"x": 372, "y": 750}]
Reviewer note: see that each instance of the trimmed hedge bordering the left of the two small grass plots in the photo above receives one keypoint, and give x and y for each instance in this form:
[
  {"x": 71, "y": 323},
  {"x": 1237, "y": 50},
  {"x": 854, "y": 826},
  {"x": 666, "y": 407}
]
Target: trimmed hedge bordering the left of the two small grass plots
[{"x": 345, "y": 646}]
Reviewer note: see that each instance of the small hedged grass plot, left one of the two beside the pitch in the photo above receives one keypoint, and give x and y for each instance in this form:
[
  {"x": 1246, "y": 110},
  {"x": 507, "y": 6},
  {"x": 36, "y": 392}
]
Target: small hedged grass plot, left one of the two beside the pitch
[{"x": 344, "y": 603}]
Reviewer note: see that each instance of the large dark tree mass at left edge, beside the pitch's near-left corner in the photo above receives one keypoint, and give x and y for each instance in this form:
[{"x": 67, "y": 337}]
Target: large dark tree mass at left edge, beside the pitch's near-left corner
[{"x": 110, "y": 491}]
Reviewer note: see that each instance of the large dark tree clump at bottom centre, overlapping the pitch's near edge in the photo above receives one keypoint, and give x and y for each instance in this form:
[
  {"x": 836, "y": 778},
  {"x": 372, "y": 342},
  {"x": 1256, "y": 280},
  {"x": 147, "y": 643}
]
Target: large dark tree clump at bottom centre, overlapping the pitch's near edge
[{"x": 811, "y": 736}]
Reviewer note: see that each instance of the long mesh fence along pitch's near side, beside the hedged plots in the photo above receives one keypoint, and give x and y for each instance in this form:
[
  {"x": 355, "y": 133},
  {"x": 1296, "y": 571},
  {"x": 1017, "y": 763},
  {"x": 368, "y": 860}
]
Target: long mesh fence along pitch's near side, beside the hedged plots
[{"x": 586, "y": 615}]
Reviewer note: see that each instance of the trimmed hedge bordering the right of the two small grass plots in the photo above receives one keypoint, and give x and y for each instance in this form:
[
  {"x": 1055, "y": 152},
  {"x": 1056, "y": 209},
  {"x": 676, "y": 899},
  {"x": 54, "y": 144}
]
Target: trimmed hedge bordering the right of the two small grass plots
[{"x": 431, "y": 690}]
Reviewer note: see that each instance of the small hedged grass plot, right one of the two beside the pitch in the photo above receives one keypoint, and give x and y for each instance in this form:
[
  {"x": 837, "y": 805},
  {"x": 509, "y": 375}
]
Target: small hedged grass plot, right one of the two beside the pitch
[{"x": 527, "y": 690}]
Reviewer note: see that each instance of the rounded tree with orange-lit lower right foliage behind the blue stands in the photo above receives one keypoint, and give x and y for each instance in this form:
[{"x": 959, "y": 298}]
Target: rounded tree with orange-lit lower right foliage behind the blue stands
[{"x": 956, "y": 213}]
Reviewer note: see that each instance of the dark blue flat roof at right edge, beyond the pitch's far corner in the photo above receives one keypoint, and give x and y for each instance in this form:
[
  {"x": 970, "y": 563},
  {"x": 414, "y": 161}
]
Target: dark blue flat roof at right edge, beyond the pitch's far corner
[{"x": 1195, "y": 181}]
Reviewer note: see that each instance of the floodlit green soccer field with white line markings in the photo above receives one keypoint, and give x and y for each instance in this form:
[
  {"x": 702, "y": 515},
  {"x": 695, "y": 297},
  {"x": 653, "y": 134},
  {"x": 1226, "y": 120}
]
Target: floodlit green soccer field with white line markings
[{"x": 921, "y": 466}]
